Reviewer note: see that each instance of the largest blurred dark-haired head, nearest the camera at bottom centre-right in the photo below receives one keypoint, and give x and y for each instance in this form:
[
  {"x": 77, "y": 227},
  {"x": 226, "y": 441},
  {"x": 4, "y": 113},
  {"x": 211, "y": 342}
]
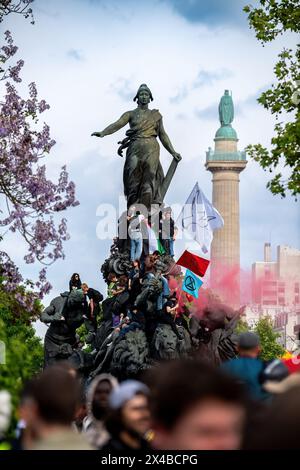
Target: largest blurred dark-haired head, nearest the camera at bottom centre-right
[{"x": 195, "y": 407}]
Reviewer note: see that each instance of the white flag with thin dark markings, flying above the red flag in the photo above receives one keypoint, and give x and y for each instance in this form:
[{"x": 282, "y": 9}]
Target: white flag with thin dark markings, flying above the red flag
[{"x": 200, "y": 218}]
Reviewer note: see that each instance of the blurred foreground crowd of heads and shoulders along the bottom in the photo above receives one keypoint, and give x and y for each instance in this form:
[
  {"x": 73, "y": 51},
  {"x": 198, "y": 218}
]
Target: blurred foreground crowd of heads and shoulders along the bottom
[{"x": 183, "y": 404}]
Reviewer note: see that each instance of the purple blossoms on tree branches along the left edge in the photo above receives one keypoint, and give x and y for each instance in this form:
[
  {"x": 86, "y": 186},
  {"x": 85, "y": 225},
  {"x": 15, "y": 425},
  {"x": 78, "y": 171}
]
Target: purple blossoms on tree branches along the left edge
[{"x": 30, "y": 197}]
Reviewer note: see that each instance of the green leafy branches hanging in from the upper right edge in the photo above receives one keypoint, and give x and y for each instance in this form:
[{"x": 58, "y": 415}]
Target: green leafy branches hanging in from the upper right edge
[{"x": 271, "y": 19}]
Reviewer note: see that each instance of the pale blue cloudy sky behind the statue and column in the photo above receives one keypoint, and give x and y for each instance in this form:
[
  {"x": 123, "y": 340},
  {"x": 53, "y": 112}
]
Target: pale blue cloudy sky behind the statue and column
[{"x": 88, "y": 58}]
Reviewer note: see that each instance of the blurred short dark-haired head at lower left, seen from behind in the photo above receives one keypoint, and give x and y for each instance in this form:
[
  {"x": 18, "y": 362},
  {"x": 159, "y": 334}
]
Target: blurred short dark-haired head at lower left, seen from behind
[{"x": 52, "y": 399}]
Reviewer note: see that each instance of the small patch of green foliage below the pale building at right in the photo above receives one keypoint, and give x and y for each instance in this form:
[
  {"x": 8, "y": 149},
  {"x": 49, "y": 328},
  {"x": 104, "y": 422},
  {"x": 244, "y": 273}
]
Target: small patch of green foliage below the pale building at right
[{"x": 270, "y": 349}]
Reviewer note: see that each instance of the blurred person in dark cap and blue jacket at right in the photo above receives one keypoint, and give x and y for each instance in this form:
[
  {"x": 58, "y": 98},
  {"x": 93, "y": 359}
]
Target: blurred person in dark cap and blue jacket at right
[{"x": 248, "y": 367}]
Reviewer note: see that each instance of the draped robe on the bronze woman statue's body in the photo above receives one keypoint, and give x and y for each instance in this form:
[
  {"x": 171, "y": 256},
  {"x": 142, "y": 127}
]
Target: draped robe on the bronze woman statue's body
[{"x": 143, "y": 174}]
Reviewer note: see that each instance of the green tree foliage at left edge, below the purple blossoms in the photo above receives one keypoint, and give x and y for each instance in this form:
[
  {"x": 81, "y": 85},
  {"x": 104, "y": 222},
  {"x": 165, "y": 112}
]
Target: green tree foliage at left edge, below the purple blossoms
[{"x": 23, "y": 349}]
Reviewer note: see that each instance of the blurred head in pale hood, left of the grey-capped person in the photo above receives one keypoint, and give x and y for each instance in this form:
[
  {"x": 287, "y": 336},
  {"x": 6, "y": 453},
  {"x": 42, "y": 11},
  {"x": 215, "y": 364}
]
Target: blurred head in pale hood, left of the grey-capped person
[{"x": 98, "y": 393}]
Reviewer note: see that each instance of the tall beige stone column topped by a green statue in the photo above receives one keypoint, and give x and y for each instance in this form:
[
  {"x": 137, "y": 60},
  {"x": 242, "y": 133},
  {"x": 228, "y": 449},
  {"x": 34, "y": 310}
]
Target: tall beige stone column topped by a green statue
[{"x": 225, "y": 163}]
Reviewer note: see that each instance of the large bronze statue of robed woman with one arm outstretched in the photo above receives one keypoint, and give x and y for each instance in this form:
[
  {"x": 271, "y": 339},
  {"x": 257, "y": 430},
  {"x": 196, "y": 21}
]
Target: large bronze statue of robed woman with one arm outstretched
[{"x": 143, "y": 177}]
